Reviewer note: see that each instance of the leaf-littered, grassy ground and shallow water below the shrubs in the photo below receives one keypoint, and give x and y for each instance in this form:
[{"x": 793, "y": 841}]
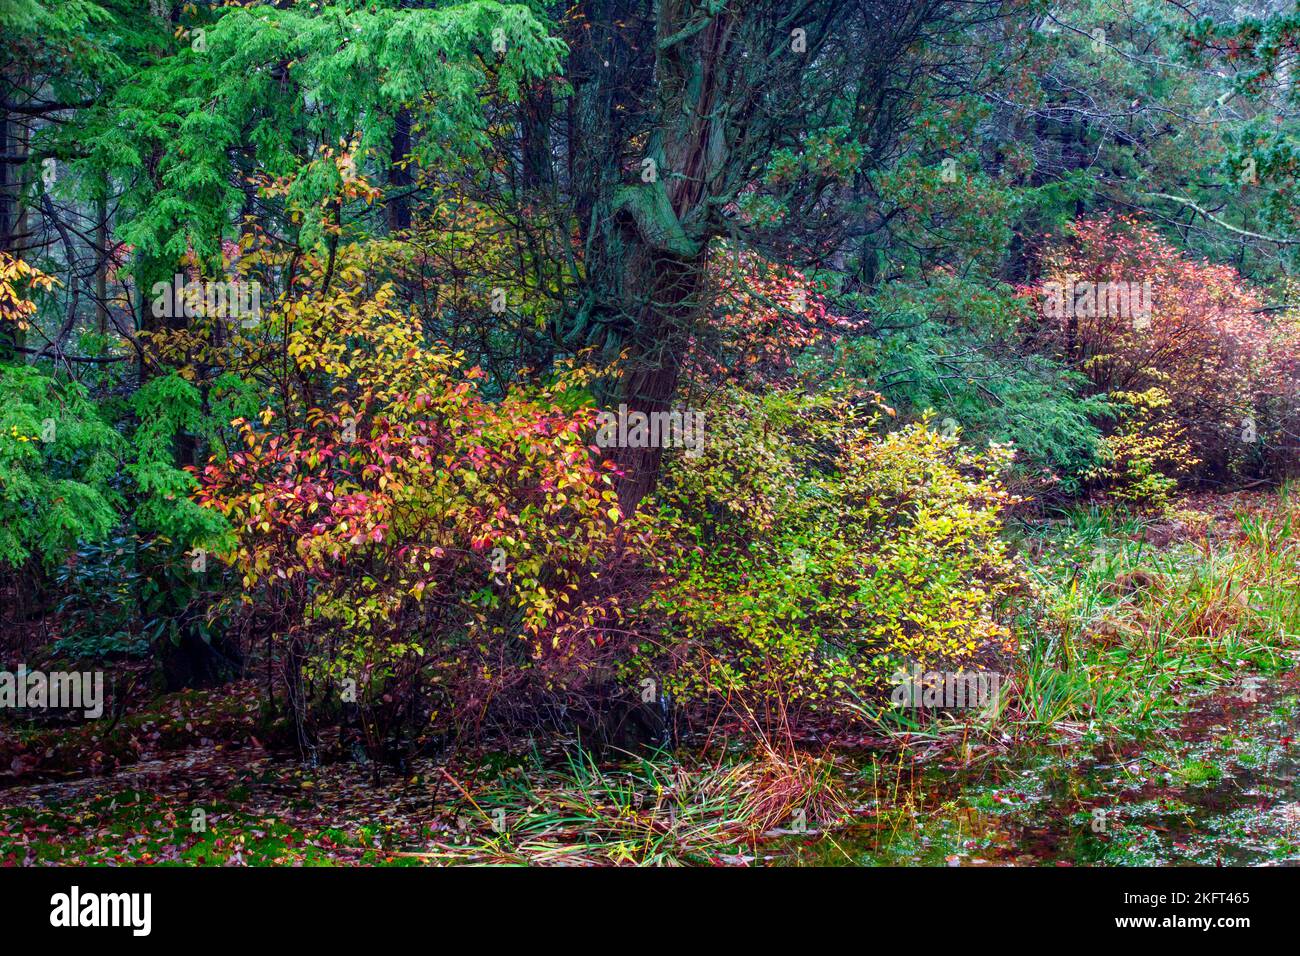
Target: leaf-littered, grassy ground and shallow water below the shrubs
[{"x": 1152, "y": 719}]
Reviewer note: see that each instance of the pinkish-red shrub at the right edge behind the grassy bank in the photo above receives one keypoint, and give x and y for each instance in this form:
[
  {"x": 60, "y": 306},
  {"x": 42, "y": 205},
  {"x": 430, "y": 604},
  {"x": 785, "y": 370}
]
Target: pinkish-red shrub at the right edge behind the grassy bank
[{"x": 1121, "y": 305}]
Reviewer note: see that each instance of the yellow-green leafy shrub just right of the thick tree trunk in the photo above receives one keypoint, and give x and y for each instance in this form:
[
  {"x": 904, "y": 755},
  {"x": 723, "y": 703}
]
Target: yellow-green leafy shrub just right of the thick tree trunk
[{"x": 824, "y": 555}]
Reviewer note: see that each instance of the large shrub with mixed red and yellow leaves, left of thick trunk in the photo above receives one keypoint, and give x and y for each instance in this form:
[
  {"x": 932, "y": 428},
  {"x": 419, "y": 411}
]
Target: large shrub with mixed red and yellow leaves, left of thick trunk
[{"x": 413, "y": 542}]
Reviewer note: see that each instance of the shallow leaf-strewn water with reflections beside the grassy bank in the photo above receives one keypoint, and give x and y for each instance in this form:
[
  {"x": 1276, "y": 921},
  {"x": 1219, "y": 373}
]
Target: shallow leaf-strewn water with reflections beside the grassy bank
[{"x": 1220, "y": 790}]
